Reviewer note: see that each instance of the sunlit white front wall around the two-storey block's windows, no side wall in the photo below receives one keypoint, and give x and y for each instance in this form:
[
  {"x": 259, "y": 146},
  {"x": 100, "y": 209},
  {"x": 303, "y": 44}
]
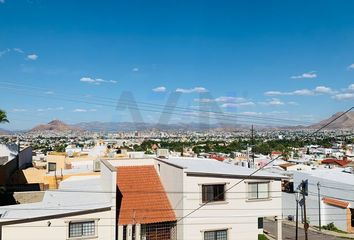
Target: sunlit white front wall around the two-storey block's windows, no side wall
[{"x": 237, "y": 214}]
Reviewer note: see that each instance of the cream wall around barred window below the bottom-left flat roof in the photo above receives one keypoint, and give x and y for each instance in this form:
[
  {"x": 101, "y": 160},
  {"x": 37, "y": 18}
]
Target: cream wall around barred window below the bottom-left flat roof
[{"x": 58, "y": 229}]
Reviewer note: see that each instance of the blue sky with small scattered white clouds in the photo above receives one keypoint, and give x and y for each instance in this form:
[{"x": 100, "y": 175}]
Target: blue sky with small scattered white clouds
[{"x": 281, "y": 59}]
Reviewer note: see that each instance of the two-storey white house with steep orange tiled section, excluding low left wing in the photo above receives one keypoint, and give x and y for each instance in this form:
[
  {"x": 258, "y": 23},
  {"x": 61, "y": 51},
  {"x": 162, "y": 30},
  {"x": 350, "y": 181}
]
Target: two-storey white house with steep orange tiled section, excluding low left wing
[{"x": 209, "y": 199}]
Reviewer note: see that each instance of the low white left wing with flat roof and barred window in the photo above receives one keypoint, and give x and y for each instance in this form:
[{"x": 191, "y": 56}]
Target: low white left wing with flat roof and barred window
[{"x": 82, "y": 208}]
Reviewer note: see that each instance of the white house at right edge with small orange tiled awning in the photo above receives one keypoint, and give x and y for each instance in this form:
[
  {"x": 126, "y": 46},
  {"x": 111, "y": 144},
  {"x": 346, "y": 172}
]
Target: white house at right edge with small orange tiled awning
[{"x": 336, "y": 197}]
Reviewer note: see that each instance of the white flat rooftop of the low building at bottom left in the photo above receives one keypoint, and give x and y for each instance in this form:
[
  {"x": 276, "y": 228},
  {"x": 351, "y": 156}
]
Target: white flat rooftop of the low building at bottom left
[{"x": 75, "y": 195}]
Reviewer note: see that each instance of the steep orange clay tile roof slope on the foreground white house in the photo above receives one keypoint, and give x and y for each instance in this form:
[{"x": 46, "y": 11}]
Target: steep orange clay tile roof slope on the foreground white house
[{"x": 144, "y": 199}]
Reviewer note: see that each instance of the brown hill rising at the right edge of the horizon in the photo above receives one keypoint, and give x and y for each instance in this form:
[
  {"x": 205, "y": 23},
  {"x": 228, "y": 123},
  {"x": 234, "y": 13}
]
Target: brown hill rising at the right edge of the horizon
[{"x": 346, "y": 121}]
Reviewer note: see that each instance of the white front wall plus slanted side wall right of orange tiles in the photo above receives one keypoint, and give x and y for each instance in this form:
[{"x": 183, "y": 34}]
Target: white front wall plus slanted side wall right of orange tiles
[{"x": 236, "y": 214}]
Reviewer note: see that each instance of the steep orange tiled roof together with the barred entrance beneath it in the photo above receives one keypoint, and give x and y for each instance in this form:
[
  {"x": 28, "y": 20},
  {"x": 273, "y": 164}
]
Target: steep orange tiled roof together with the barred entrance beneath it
[{"x": 143, "y": 207}]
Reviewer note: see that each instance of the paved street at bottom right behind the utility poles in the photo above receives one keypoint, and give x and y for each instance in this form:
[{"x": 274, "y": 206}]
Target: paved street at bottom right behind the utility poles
[{"x": 289, "y": 232}]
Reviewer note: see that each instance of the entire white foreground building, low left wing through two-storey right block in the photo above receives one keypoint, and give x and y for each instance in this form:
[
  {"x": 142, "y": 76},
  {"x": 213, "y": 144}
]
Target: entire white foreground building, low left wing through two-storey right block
[{"x": 152, "y": 199}]
